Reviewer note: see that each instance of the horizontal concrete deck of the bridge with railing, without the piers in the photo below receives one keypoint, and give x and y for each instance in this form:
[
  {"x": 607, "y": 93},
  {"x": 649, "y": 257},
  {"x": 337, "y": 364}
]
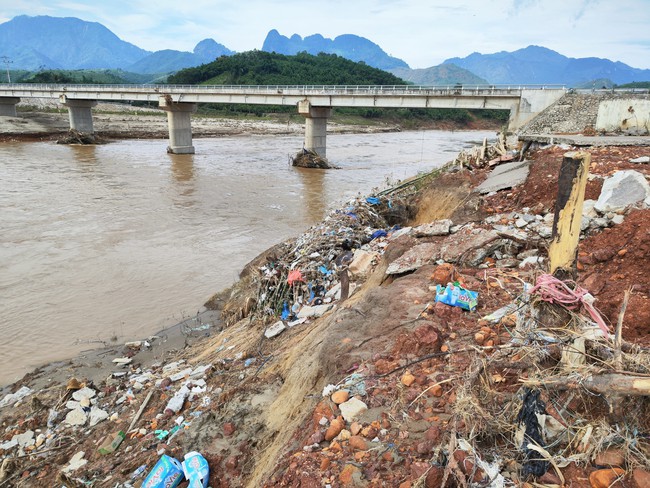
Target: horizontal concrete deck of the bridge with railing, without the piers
[{"x": 452, "y": 96}]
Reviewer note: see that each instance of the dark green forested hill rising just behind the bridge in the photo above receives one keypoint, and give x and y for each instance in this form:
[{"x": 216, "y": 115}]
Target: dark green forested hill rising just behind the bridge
[{"x": 263, "y": 68}]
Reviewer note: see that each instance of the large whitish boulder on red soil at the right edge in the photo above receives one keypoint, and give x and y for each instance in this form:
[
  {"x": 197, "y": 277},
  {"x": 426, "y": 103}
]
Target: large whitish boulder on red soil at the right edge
[{"x": 621, "y": 190}]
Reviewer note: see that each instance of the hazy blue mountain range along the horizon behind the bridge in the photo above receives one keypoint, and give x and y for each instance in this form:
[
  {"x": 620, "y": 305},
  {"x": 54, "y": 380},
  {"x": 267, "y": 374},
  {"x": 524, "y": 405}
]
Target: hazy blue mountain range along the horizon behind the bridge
[{"x": 43, "y": 42}]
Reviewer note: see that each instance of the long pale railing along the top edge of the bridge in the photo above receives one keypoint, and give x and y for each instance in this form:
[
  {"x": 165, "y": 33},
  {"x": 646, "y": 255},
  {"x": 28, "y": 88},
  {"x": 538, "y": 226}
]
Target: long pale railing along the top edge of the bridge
[{"x": 455, "y": 90}]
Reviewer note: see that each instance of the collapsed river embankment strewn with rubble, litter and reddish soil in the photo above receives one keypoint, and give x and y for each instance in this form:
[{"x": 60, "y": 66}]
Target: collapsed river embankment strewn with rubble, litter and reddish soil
[{"x": 423, "y": 393}]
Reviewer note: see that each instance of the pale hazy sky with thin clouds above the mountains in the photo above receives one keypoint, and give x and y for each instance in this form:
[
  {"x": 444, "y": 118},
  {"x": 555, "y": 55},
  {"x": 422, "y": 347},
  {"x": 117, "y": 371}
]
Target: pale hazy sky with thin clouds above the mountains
[{"x": 421, "y": 32}]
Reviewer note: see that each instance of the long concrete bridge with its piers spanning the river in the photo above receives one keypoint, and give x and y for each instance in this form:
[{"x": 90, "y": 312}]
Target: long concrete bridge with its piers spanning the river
[{"x": 314, "y": 102}]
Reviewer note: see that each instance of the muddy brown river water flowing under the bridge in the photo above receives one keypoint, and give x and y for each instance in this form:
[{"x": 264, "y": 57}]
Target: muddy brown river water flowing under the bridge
[{"x": 121, "y": 240}]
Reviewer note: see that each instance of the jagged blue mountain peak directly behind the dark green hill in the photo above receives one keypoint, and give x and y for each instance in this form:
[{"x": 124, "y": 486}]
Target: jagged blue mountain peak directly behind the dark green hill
[{"x": 349, "y": 46}]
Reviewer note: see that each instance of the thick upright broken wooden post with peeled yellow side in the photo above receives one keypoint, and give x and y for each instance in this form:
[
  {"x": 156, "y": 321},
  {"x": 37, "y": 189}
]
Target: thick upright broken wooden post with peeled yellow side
[{"x": 572, "y": 182}]
